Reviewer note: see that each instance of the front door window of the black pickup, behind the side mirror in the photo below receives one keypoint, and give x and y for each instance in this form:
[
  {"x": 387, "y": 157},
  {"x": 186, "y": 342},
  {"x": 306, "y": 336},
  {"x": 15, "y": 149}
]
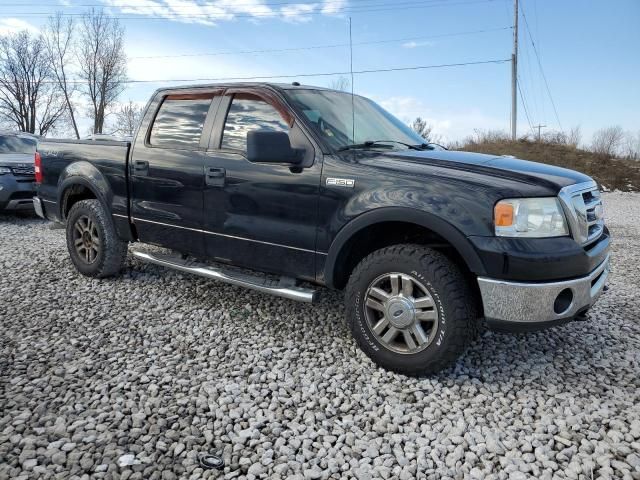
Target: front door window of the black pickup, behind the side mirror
[{"x": 249, "y": 112}]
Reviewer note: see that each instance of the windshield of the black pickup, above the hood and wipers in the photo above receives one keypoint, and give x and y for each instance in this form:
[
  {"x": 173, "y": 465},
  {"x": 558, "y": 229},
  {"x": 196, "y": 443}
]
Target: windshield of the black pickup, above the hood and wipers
[{"x": 330, "y": 114}]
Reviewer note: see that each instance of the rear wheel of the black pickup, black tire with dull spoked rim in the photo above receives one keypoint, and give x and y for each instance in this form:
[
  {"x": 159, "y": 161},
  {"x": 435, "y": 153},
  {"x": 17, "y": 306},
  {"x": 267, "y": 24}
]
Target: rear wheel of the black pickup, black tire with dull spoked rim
[{"x": 107, "y": 253}]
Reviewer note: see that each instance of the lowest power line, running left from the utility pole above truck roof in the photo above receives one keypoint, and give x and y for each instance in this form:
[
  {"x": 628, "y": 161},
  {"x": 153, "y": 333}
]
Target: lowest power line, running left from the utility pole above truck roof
[{"x": 303, "y": 75}]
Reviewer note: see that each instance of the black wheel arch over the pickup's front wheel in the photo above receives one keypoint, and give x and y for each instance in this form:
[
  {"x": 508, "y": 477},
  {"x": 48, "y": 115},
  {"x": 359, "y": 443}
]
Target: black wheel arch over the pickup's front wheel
[{"x": 434, "y": 230}]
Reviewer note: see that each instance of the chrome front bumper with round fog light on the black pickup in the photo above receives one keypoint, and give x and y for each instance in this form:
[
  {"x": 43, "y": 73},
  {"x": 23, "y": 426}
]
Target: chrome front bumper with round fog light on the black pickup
[{"x": 535, "y": 303}]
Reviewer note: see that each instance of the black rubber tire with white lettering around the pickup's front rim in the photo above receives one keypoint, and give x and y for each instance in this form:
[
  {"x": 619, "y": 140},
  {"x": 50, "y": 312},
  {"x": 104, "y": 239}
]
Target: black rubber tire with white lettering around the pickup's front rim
[{"x": 451, "y": 298}]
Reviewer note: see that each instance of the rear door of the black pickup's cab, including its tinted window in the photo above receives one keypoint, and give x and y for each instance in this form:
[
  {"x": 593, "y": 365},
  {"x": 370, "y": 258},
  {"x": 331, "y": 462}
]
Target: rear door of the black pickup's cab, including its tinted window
[{"x": 167, "y": 170}]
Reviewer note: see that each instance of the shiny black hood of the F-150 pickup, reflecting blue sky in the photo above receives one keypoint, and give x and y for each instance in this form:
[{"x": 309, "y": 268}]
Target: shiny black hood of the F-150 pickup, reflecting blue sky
[{"x": 533, "y": 173}]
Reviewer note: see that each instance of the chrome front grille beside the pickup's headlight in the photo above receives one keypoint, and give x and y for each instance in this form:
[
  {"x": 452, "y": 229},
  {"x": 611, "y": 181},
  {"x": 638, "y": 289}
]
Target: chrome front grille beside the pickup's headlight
[{"x": 583, "y": 207}]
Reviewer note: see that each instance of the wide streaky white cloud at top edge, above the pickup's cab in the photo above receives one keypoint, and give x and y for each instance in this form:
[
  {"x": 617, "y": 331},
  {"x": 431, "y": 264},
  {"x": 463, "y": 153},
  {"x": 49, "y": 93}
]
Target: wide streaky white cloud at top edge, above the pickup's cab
[{"x": 211, "y": 12}]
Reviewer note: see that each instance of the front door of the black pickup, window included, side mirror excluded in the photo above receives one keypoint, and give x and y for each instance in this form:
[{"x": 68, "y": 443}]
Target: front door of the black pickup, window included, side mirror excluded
[{"x": 261, "y": 216}]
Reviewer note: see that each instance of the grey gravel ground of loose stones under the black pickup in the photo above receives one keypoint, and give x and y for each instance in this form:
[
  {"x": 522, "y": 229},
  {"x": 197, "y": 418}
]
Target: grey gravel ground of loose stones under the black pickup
[{"x": 133, "y": 377}]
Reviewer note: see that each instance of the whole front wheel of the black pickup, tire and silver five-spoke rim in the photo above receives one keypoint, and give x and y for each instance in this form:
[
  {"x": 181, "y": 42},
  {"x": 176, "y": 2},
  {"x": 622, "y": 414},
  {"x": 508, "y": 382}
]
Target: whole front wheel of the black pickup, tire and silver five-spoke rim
[{"x": 410, "y": 309}]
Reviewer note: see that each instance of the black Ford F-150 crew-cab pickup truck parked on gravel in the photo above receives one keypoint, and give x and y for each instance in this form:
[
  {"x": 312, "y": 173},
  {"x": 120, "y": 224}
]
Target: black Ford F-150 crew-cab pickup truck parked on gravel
[{"x": 283, "y": 188}]
